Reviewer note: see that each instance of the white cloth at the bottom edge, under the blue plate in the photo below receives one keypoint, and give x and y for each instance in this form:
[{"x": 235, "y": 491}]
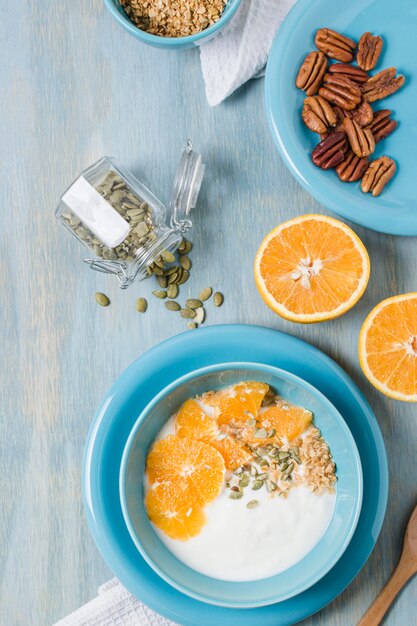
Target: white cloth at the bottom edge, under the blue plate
[{"x": 114, "y": 606}]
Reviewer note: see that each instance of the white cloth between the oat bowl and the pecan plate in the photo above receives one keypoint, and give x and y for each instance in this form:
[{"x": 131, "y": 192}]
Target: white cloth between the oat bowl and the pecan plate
[{"x": 240, "y": 50}]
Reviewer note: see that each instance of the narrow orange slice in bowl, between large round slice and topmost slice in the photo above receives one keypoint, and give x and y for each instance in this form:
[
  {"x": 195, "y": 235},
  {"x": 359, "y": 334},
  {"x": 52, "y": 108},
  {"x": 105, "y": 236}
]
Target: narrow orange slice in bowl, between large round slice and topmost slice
[{"x": 192, "y": 421}]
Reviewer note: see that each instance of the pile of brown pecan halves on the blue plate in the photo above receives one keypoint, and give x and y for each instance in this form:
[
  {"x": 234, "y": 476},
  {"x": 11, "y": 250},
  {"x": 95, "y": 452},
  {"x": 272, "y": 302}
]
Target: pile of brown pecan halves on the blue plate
[{"x": 338, "y": 107}]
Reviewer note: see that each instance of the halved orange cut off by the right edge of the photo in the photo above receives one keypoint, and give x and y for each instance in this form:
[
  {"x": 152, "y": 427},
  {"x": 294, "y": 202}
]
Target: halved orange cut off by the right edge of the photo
[{"x": 388, "y": 347}]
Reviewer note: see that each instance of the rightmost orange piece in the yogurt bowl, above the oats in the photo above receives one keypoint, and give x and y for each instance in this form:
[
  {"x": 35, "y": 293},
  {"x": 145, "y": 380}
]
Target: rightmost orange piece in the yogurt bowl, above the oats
[{"x": 288, "y": 421}]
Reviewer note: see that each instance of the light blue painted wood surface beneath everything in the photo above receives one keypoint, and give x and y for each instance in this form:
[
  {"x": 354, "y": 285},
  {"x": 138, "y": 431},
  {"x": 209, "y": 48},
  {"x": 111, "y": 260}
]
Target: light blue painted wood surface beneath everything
[{"x": 75, "y": 86}]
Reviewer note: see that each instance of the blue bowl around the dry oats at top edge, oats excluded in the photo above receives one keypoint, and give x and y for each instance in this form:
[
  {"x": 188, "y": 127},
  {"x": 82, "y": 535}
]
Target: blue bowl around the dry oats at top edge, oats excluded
[{"x": 172, "y": 43}]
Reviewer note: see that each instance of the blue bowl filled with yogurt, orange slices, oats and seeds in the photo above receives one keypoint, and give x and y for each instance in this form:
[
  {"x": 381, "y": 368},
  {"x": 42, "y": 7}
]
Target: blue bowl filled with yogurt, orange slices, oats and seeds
[{"x": 240, "y": 485}]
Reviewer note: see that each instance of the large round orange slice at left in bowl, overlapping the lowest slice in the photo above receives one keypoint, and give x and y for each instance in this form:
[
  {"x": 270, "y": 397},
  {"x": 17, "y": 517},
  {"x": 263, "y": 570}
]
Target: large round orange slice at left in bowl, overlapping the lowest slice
[{"x": 187, "y": 462}]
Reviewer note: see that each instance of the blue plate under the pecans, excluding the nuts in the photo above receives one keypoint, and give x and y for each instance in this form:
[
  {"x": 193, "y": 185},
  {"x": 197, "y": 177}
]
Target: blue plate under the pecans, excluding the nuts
[{"x": 395, "y": 210}]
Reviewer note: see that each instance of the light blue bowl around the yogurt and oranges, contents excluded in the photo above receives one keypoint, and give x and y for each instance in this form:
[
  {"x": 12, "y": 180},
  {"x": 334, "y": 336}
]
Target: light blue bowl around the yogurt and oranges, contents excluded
[{"x": 317, "y": 562}]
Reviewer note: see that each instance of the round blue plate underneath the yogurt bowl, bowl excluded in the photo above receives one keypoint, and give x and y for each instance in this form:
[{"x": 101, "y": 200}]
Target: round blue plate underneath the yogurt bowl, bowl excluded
[{"x": 141, "y": 382}]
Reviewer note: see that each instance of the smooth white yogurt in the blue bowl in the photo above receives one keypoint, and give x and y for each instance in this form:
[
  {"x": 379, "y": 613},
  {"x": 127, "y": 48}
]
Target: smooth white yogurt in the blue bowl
[{"x": 240, "y": 544}]
